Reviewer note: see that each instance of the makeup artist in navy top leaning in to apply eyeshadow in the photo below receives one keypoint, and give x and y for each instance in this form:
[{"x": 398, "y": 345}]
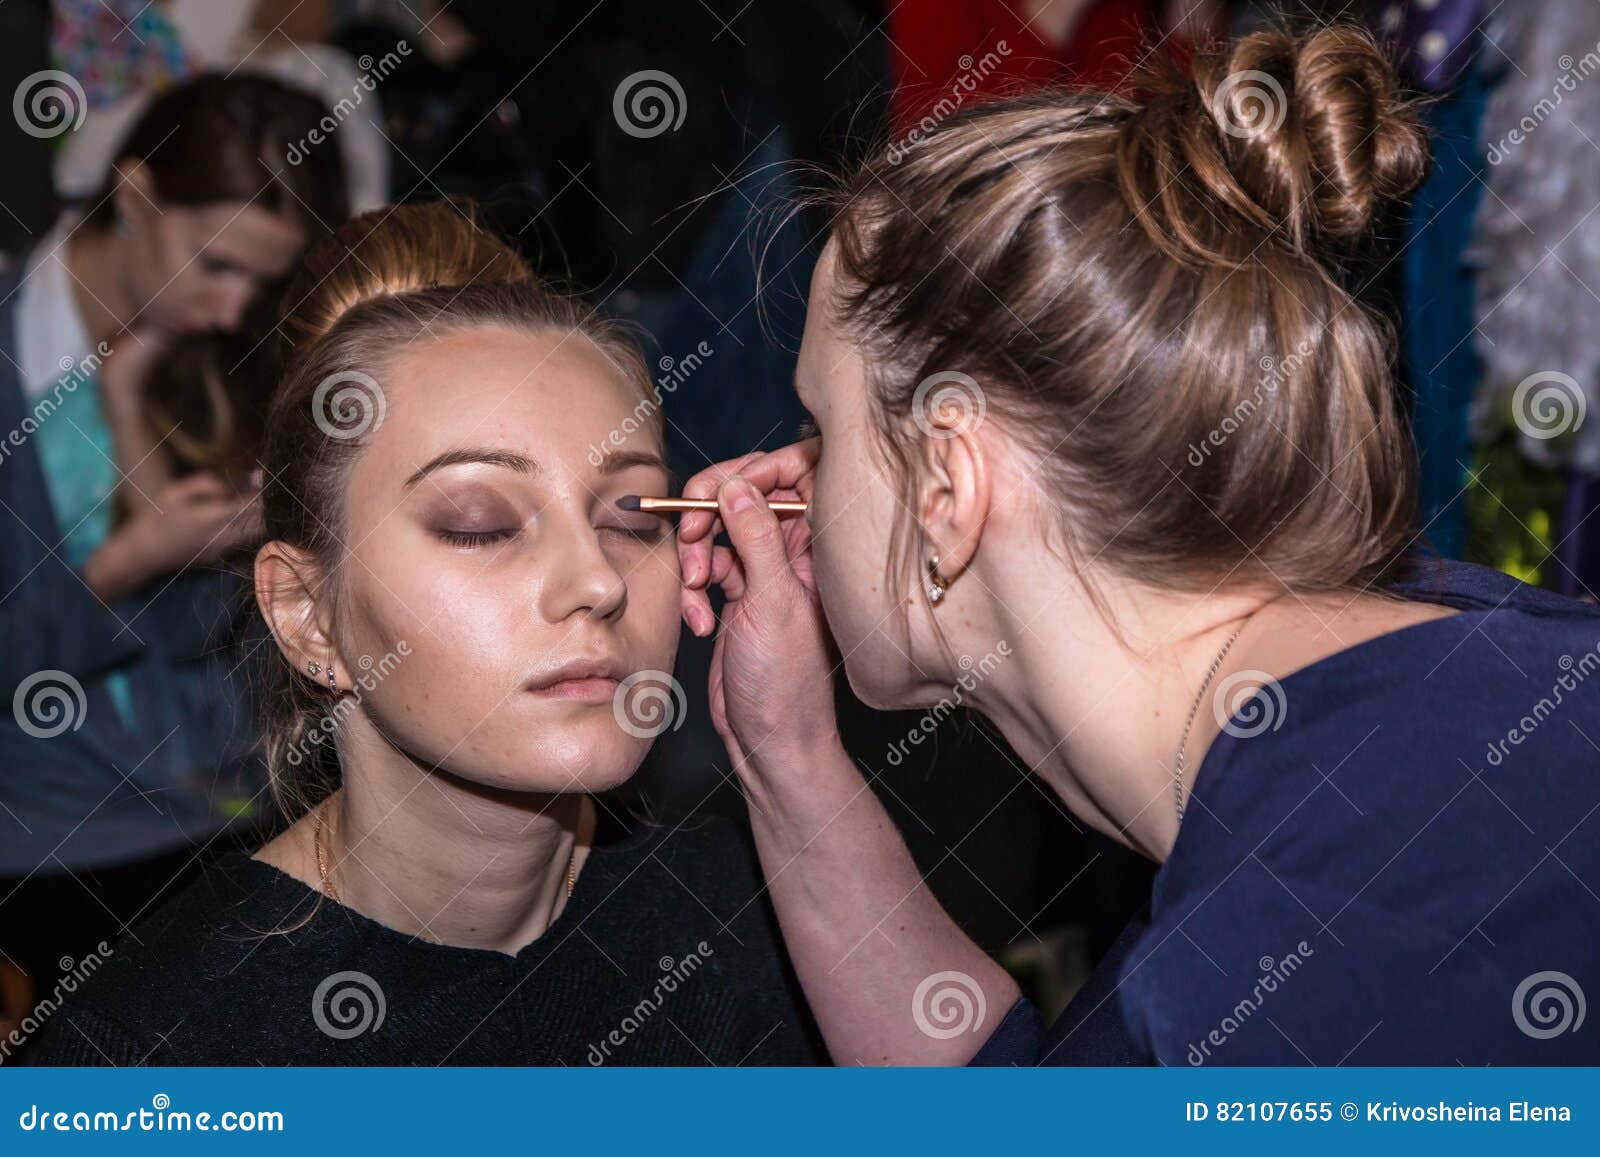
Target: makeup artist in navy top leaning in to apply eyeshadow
[{"x": 1090, "y": 383}]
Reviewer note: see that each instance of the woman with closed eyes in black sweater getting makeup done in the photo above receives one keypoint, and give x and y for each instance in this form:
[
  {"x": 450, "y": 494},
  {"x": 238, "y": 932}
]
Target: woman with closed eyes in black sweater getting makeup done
[{"x": 466, "y": 635}]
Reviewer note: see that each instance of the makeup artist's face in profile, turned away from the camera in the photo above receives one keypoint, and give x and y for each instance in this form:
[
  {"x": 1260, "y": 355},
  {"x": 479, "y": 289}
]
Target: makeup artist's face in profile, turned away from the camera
[{"x": 855, "y": 506}]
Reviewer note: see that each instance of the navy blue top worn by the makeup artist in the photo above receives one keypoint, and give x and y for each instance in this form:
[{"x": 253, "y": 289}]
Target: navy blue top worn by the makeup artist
[{"x": 1406, "y": 871}]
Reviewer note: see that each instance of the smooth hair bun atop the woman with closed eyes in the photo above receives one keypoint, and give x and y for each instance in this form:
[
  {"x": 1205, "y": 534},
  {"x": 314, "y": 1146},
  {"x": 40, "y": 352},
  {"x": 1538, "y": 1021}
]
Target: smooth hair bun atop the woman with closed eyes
[{"x": 404, "y": 249}]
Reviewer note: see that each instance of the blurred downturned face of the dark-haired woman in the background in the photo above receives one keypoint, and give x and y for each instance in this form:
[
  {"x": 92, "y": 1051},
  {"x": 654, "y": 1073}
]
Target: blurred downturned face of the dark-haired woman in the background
[{"x": 198, "y": 268}]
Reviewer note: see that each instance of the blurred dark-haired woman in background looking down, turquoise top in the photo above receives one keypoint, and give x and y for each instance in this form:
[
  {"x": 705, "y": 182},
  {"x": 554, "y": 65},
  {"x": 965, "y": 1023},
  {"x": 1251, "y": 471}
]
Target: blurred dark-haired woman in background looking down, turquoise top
[{"x": 126, "y": 745}]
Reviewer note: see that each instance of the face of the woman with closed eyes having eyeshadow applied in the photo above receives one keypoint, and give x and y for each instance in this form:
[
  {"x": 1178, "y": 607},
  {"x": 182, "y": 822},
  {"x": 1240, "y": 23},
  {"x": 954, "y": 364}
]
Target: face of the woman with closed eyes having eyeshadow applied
[{"x": 484, "y": 538}]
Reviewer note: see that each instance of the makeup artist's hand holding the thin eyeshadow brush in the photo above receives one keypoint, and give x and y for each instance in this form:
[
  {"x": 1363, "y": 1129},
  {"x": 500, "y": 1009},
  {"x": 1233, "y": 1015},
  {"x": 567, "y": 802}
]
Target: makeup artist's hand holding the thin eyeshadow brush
[{"x": 772, "y": 676}]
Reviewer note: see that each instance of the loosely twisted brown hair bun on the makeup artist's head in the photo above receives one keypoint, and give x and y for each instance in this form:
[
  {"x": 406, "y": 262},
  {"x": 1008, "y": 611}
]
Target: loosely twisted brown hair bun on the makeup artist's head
[{"x": 1305, "y": 135}]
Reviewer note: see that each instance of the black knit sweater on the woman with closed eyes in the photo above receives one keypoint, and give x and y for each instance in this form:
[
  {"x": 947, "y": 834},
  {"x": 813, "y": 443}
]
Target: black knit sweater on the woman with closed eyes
[{"x": 665, "y": 955}]
